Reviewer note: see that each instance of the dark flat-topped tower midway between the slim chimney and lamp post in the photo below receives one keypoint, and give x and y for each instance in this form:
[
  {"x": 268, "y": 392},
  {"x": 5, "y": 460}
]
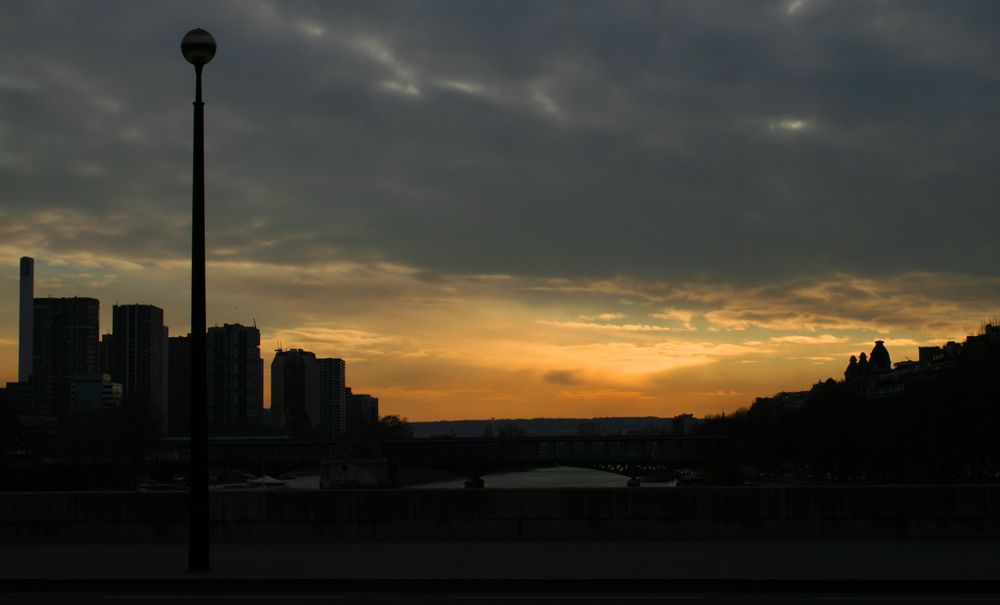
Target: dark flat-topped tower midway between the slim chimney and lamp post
[{"x": 137, "y": 350}]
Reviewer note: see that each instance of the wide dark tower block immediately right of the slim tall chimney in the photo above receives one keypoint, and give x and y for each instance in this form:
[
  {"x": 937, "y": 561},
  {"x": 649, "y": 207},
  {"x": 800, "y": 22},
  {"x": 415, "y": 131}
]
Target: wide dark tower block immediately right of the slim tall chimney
[{"x": 64, "y": 345}]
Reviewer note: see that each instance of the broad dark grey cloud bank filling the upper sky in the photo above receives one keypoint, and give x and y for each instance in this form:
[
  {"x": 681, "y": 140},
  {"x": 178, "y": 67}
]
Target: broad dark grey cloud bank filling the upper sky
[{"x": 653, "y": 140}]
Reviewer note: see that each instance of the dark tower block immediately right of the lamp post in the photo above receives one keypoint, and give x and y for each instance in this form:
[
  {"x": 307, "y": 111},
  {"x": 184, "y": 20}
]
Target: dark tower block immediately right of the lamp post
[{"x": 235, "y": 377}]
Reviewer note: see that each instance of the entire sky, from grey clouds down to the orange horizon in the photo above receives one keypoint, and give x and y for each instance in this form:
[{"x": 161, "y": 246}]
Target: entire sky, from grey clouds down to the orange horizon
[{"x": 515, "y": 208}]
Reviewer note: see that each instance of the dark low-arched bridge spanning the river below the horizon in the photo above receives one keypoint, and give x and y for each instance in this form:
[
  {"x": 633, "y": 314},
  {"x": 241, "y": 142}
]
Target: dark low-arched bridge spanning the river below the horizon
[{"x": 630, "y": 455}]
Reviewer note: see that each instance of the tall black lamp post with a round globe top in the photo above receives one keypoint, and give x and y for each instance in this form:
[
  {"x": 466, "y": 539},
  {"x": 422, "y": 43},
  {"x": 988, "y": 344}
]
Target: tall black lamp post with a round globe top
[{"x": 198, "y": 47}]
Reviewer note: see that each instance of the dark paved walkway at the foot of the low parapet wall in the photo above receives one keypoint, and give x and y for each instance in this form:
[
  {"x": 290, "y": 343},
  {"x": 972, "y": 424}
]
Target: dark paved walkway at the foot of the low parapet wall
[{"x": 862, "y": 561}]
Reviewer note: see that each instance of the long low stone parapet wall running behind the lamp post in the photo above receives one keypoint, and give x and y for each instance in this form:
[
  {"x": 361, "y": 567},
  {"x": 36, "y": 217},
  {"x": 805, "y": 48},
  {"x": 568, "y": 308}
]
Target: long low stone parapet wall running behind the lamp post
[{"x": 695, "y": 513}]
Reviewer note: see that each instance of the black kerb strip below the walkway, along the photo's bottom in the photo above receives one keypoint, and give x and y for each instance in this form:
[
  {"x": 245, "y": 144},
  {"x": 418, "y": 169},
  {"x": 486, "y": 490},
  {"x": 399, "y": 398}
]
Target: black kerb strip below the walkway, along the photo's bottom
[{"x": 207, "y": 585}]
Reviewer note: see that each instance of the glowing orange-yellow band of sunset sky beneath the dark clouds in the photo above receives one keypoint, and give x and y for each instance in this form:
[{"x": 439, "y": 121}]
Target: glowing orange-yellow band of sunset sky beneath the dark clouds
[{"x": 502, "y": 346}]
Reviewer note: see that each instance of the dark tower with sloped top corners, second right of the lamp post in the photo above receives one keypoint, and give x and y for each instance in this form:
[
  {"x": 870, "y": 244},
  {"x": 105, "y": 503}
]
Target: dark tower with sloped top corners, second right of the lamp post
[{"x": 295, "y": 390}]
